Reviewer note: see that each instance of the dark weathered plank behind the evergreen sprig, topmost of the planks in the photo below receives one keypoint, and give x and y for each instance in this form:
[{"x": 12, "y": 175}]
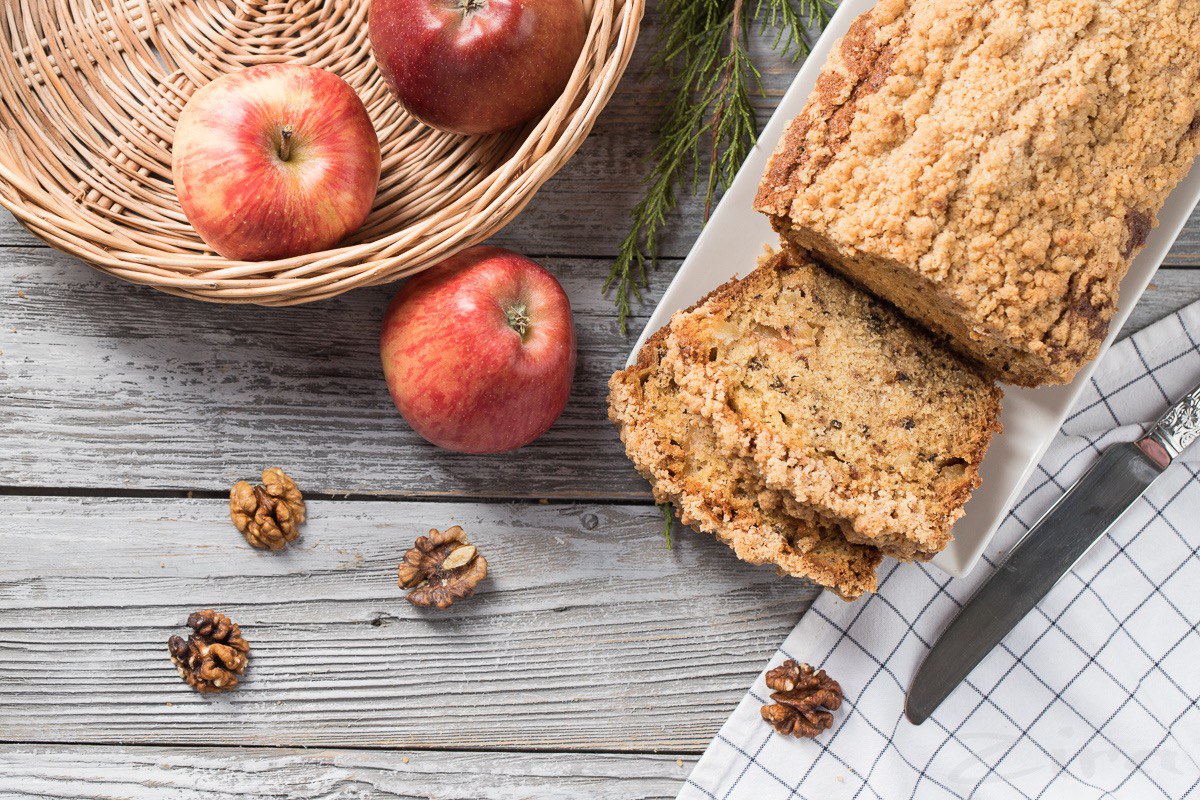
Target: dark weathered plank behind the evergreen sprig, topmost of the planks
[{"x": 584, "y": 210}]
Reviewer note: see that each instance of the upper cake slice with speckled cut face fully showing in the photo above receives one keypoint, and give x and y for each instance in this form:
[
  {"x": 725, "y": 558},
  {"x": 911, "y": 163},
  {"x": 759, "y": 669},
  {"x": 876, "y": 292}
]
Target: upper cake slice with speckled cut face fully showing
[{"x": 839, "y": 401}]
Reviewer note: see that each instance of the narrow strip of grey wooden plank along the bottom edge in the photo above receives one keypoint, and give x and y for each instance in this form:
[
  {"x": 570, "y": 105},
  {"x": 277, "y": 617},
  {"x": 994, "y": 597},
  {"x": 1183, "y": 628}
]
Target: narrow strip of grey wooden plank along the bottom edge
[{"x": 71, "y": 773}]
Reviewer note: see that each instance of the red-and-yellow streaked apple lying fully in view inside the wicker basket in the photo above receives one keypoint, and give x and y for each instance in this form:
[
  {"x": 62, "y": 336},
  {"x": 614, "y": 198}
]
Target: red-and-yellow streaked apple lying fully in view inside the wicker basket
[{"x": 275, "y": 161}]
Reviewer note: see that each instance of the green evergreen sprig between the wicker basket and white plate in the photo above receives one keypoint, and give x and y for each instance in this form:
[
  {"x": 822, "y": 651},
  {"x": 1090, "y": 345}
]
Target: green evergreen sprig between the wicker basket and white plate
[{"x": 704, "y": 50}]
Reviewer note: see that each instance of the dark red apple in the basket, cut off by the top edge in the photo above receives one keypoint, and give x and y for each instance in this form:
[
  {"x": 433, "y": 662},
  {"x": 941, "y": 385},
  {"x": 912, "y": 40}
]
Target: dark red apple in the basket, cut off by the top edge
[{"x": 477, "y": 67}]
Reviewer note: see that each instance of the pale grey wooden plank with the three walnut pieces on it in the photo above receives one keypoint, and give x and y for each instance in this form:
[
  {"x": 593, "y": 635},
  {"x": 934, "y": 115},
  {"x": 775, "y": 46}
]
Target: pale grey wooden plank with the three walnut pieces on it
[{"x": 589, "y": 634}]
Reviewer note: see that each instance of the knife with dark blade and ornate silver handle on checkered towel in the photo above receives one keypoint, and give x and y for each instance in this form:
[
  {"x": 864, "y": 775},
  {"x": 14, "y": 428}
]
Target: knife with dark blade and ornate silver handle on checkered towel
[{"x": 1051, "y": 549}]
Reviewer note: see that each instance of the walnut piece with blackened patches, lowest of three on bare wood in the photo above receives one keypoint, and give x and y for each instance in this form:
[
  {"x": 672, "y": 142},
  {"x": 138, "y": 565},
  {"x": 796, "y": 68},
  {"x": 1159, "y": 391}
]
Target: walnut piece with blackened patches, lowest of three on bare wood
[{"x": 213, "y": 658}]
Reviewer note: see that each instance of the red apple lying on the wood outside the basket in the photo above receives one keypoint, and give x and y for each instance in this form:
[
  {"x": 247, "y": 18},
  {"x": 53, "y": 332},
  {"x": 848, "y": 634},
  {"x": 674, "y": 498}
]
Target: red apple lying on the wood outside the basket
[{"x": 479, "y": 352}]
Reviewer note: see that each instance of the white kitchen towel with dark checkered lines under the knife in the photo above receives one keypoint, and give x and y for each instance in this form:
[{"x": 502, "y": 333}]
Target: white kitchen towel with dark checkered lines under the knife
[{"x": 1094, "y": 695}]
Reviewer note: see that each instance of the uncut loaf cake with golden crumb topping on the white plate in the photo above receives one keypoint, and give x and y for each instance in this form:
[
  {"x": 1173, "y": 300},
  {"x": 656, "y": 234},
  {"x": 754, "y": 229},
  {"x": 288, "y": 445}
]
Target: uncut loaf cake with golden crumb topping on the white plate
[{"x": 992, "y": 169}]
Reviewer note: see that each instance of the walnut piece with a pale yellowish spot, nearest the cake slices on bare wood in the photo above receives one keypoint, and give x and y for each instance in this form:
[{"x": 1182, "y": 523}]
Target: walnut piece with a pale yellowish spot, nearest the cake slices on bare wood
[{"x": 441, "y": 569}]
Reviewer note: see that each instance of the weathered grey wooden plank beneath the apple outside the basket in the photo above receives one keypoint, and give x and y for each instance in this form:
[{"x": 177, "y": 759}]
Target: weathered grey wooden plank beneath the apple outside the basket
[{"x": 112, "y": 386}]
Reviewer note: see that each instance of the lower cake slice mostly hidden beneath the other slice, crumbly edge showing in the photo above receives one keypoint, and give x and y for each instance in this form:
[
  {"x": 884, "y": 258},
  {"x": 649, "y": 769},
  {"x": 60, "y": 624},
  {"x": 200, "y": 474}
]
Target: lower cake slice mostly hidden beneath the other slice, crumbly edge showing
[{"x": 680, "y": 455}]
